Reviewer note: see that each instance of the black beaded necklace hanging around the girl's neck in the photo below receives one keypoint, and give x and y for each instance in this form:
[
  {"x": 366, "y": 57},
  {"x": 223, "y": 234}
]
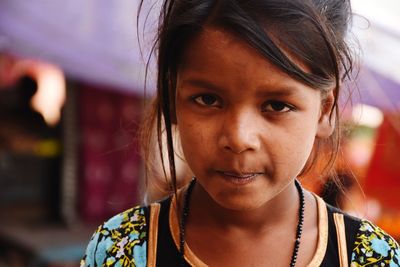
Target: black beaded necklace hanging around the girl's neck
[{"x": 185, "y": 213}]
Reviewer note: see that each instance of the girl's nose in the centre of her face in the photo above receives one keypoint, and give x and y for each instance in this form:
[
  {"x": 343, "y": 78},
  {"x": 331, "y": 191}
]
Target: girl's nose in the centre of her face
[{"x": 240, "y": 132}]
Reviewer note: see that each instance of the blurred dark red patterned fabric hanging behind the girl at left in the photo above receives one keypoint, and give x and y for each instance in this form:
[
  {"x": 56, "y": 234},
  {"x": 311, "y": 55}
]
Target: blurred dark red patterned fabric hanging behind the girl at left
[{"x": 109, "y": 158}]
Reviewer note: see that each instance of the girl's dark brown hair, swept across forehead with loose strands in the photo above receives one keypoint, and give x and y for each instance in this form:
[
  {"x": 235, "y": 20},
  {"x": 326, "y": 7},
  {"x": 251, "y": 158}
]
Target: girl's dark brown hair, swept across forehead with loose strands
[{"x": 312, "y": 31}]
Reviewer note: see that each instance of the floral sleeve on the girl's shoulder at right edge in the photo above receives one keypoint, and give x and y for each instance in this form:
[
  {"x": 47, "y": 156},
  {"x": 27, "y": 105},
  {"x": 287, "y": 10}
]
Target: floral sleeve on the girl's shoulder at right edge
[{"x": 374, "y": 247}]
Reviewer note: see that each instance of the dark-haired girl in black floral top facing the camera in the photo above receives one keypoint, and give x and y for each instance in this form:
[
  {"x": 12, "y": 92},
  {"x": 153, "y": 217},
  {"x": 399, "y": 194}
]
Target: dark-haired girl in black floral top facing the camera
[{"x": 252, "y": 88}]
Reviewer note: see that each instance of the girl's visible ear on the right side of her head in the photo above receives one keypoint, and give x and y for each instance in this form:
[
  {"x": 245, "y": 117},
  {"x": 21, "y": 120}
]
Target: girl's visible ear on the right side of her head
[{"x": 326, "y": 123}]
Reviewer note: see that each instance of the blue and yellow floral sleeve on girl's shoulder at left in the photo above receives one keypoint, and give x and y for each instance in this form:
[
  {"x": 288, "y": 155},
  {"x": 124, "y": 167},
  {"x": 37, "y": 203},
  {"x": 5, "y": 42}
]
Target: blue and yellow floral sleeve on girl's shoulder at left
[{"x": 120, "y": 241}]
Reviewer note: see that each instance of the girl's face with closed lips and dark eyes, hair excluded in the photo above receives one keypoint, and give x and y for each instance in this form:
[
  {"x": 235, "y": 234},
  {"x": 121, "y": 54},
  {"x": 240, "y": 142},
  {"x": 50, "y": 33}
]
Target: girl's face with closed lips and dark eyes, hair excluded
[{"x": 246, "y": 127}]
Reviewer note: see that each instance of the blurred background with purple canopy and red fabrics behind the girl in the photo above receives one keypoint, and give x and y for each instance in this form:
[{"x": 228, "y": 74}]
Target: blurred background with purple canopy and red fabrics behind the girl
[{"x": 71, "y": 100}]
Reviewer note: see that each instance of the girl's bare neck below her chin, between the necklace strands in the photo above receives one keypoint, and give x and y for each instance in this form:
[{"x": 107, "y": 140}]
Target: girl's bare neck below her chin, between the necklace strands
[{"x": 279, "y": 211}]
